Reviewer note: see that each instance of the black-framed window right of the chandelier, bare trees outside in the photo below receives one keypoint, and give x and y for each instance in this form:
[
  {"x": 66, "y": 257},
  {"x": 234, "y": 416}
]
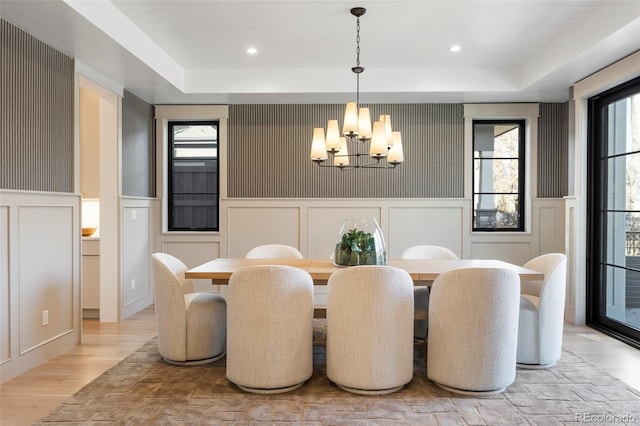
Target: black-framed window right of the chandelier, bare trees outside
[{"x": 498, "y": 175}]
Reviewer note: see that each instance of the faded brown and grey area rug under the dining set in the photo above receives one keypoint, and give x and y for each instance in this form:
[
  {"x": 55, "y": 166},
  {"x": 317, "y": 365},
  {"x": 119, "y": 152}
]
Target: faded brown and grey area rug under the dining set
[{"x": 144, "y": 390}]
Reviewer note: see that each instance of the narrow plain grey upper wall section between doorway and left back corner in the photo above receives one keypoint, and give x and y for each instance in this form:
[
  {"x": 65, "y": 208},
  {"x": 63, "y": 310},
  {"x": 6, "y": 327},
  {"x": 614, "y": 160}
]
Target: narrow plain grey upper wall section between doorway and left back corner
[{"x": 138, "y": 155}]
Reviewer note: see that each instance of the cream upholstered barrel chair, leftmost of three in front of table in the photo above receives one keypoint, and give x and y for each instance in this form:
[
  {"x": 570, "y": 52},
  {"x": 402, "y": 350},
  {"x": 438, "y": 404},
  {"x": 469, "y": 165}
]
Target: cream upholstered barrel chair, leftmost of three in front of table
[{"x": 270, "y": 328}]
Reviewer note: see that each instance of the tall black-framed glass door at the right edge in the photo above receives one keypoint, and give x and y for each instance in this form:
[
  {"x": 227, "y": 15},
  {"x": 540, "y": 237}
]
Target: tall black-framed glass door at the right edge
[{"x": 613, "y": 287}]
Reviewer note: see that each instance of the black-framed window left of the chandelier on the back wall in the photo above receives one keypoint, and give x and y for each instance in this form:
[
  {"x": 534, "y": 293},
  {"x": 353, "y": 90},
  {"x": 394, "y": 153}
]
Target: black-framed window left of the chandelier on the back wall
[{"x": 193, "y": 197}]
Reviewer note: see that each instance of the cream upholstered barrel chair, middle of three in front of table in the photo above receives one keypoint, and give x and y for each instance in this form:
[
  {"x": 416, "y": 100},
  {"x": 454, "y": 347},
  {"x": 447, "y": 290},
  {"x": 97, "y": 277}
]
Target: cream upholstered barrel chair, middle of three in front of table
[{"x": 369, "y": 346}]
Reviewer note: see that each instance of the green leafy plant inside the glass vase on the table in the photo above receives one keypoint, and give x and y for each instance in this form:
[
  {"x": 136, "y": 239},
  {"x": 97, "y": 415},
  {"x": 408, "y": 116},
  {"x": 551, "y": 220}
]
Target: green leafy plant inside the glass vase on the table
[{"x": 357, "y": 248}]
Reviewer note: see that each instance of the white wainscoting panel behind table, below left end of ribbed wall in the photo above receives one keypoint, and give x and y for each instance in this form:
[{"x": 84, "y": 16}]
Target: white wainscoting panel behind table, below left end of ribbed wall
[{"x": 250, "y": 227}]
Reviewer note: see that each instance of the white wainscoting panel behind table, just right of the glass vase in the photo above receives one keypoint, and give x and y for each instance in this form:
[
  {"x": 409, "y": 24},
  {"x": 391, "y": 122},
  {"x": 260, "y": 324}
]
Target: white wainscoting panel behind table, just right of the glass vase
[{"x": 410, "y": 226}]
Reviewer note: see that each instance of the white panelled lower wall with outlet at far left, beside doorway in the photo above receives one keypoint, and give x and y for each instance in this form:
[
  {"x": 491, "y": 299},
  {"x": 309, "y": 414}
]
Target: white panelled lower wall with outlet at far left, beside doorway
[{"x": 39, "y": 272}]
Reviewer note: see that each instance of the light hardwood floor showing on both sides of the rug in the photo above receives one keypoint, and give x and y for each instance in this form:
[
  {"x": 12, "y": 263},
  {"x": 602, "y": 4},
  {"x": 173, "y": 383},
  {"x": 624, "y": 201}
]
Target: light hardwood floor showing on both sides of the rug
[{"x": 32, "y": 395}]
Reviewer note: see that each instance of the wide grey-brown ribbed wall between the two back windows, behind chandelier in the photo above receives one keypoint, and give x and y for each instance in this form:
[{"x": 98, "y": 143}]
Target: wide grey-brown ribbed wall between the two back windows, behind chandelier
[{"x": 269, "y": 147}]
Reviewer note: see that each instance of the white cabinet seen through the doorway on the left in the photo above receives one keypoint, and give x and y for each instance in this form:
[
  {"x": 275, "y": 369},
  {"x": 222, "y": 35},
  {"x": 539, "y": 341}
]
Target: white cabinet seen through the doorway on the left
[{"x": 90, "y": 278}]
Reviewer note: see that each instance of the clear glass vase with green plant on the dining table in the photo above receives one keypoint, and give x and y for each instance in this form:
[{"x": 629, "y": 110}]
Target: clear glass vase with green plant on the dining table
[{"x": 360, "y": 242}]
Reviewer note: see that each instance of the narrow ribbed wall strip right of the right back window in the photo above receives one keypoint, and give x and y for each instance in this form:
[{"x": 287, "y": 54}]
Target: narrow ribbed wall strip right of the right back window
[{"x": 553, "y": 150}]
